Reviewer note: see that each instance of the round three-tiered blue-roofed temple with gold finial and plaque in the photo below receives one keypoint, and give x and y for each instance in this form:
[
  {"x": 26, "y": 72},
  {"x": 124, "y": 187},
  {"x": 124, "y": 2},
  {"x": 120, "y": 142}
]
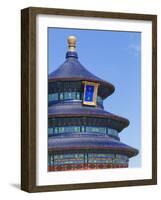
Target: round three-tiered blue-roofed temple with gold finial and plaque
[{"x": 81, "y": 134}]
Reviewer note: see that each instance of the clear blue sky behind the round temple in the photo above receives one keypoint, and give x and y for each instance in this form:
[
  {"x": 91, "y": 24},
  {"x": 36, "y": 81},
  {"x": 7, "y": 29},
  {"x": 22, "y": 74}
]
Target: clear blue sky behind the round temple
[{"x": 115, "y": 57}]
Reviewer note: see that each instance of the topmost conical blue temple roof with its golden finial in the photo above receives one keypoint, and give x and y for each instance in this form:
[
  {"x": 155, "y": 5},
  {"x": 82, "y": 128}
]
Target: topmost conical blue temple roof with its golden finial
[{"x": 73, "y": 70}]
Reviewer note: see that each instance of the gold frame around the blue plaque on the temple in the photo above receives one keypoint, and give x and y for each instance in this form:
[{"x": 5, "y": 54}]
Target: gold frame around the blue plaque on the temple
[{"x": 94, "y": 102}]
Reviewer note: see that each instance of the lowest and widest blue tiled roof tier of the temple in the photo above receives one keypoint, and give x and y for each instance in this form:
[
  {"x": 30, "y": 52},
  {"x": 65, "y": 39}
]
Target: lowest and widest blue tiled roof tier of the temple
[{"x": 90, "y": 143}]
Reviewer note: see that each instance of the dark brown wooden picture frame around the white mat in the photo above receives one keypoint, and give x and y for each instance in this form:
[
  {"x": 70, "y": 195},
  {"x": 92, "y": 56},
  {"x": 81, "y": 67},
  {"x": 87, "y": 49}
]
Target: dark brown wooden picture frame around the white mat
[{"x": 28, "y": 98}]
